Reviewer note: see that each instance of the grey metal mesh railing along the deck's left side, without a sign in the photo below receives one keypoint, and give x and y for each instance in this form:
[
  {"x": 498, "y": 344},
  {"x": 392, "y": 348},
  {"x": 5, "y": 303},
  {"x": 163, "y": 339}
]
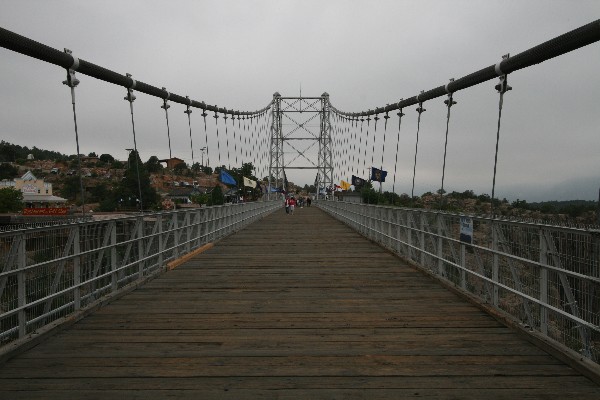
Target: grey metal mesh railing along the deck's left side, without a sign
[{"x": 53, "y": 272}]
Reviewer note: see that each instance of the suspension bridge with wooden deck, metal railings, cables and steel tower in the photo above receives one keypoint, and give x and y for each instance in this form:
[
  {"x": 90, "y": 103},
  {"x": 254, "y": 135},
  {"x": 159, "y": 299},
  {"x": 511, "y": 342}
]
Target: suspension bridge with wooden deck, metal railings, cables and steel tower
[{"x": 337, "y": 300}]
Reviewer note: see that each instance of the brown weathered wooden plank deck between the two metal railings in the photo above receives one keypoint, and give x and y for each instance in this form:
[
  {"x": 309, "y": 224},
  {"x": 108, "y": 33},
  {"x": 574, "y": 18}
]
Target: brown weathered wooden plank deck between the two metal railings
[{"x": 293, "y": 307}]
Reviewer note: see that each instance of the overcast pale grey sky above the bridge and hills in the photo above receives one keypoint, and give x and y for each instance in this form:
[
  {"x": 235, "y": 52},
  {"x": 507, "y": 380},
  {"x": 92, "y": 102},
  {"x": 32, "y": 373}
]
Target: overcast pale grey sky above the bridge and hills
[{"x": 365, "y": 54}]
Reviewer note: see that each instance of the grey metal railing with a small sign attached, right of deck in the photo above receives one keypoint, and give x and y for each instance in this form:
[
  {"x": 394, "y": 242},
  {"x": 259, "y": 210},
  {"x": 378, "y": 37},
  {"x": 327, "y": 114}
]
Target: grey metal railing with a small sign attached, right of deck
[{"x": 546, "y": 277}]
